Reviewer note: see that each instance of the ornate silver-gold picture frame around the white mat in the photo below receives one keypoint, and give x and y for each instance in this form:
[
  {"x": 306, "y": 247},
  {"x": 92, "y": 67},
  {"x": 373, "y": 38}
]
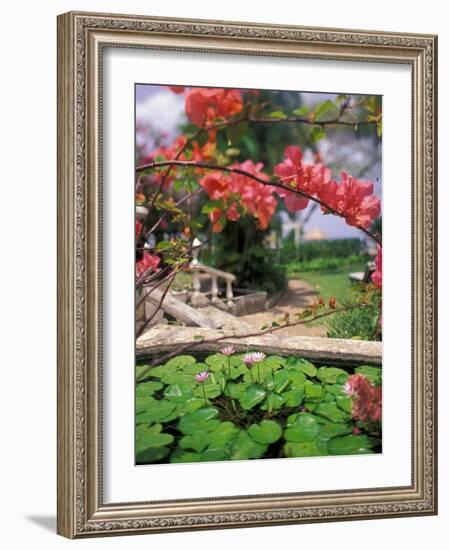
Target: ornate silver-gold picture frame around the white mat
[{"x": 82, "y": 38}]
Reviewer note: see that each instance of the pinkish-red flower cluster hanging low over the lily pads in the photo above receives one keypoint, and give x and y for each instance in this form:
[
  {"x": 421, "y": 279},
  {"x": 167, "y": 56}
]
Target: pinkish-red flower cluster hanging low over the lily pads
[{"x": 366, "y": 398}]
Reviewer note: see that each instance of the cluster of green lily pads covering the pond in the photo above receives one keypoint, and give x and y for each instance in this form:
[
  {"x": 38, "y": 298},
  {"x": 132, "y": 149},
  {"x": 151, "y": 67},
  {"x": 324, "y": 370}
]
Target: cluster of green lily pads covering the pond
[{"x": 280, "y": 407}]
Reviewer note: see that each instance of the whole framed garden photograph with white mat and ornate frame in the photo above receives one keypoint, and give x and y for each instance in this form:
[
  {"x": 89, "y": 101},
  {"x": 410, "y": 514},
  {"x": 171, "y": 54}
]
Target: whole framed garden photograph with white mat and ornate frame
[{"x": 246, "y": 274}]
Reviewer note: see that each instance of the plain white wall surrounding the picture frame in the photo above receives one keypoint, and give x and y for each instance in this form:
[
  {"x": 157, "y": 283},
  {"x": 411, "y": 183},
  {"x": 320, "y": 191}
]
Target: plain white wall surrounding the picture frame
[{"x": 28, "y": 274}]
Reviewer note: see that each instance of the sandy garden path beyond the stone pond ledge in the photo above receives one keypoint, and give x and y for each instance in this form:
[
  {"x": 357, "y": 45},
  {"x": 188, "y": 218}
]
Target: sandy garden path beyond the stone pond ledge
[{"x": 298, "y": 296}]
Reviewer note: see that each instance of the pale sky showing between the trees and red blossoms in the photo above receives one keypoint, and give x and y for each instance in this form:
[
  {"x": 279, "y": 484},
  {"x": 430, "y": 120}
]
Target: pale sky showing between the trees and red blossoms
[{"x": 163, "y": 110}]
